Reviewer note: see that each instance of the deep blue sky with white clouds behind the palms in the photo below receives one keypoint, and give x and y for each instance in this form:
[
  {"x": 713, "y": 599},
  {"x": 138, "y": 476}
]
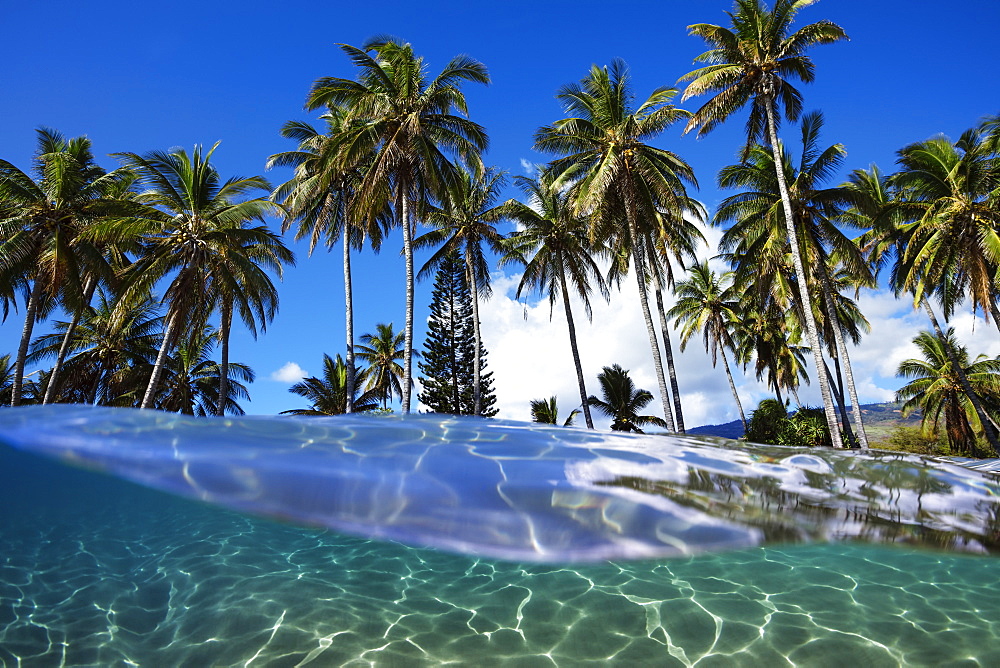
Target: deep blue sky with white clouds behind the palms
[{"x": 143, "y": 76}]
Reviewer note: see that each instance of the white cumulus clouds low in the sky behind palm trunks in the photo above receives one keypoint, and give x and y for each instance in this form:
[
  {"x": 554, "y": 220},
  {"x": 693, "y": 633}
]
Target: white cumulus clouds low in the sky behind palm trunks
[{"x": 530, "y": 356}]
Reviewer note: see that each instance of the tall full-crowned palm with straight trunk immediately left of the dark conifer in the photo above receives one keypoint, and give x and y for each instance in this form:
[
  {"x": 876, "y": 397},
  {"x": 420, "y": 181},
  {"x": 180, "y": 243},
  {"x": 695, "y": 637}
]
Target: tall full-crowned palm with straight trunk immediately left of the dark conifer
[{"x": 407, "y": 124}]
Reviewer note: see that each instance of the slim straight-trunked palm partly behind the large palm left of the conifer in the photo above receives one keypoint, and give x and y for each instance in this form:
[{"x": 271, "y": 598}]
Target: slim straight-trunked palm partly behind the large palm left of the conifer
[{"x": 320, "y": 197}]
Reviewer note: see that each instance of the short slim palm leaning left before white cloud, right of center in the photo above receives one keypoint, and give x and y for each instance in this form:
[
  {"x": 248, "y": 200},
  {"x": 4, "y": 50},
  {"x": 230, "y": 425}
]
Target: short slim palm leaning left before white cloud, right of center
[{"x": 708, "y": 303}]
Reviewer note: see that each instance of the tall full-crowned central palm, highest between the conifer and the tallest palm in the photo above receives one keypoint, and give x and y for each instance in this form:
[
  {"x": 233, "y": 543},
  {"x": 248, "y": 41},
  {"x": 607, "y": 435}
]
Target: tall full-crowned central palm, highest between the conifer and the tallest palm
[{"x": 617, "y": 176}]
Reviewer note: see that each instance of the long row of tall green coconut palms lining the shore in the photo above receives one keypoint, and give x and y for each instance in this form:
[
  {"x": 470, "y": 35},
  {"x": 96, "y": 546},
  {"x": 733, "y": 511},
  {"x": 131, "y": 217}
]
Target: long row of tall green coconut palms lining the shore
[{"x": 396, "y": 146}]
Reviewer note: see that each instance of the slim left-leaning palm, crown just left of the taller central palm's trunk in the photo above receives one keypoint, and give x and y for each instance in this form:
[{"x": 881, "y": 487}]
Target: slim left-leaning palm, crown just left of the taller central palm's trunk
[{"x": 554, "y": 246}]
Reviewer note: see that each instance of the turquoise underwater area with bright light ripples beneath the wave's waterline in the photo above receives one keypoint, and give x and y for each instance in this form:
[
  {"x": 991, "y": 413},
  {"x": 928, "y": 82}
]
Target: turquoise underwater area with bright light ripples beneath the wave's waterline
[{"x": 95, "y": 571}]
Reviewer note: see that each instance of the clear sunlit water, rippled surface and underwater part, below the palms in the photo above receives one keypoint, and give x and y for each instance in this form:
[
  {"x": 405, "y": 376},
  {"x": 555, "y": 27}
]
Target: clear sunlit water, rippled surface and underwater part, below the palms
[{"x": 719, "y": 555}]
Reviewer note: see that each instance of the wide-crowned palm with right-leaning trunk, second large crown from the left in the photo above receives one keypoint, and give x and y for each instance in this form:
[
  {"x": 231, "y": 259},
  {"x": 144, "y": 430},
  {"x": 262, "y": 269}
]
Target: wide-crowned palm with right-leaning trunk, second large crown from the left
[{"x": 197, "y": 232}]
